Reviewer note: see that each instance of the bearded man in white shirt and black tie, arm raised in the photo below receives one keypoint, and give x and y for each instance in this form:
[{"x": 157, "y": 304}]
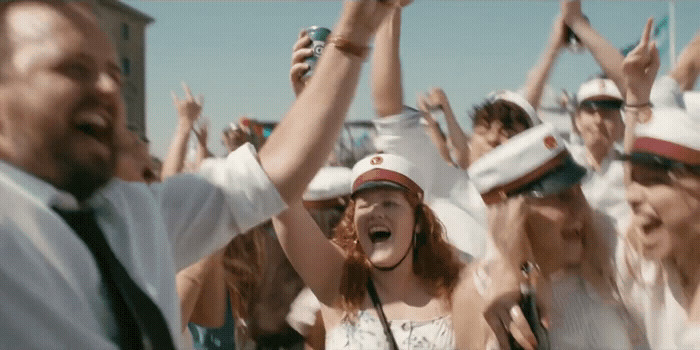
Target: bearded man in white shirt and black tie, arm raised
[{"x": 88, "y": 261}]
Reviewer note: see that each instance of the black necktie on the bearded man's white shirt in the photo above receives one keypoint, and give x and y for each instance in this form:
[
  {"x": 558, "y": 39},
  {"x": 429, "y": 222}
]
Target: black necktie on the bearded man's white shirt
[{"x": 141, "y": 324}]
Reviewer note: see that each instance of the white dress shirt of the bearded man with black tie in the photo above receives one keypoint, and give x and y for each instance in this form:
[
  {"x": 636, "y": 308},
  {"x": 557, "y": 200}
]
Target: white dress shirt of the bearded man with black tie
[{"x": 52, "y": 293}]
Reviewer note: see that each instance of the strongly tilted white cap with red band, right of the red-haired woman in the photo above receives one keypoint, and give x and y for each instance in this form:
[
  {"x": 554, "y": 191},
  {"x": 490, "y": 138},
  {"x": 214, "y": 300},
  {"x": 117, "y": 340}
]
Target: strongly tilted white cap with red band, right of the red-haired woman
[{"x": 534, "y": 163}]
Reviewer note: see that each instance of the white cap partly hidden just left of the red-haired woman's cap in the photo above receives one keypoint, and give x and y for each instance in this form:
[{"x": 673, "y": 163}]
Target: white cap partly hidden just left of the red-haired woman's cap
[{"x": 328, "y": 188}]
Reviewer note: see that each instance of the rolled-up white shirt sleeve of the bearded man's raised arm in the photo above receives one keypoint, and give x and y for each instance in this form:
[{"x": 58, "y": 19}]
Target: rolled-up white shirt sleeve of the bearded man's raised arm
[{"x": 204, "y": 211}]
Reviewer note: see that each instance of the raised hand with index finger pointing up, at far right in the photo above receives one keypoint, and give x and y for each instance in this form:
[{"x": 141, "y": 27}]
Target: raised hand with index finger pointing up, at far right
[{"x": 640, "y": 68}]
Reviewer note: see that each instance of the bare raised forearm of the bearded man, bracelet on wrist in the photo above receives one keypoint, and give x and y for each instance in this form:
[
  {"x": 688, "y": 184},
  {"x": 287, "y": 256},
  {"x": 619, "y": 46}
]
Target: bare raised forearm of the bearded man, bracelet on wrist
[{"x": 318, "y": 113}]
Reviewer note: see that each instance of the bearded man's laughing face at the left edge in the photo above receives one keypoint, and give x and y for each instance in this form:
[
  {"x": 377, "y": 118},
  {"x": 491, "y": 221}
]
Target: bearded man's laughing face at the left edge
[{"x": 60, "y": 100}]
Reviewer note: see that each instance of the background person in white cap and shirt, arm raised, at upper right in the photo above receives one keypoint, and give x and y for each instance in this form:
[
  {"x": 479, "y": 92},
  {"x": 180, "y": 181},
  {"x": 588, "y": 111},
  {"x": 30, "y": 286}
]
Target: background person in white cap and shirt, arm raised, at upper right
[{"x": 597, "y": 122}]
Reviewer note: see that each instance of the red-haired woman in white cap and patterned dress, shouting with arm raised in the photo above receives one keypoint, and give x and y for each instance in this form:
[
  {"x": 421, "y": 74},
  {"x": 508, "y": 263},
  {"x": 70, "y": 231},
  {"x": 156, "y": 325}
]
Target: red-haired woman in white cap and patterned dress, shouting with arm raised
[{"x": 386, "y": 279}]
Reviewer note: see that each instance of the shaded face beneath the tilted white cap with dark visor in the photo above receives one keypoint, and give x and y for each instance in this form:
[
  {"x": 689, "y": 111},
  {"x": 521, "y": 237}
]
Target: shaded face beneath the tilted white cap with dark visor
[{"x": 555, "y": 226}]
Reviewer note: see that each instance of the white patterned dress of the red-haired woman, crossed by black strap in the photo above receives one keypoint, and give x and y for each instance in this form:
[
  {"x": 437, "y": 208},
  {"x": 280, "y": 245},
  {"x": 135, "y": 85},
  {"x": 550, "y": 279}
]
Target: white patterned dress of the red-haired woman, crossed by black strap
[{"x": 366, "y": 333}]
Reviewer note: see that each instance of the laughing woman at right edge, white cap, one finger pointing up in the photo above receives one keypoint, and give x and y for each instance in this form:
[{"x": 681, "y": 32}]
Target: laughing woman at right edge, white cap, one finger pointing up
[{"x": 659, "y": 262}]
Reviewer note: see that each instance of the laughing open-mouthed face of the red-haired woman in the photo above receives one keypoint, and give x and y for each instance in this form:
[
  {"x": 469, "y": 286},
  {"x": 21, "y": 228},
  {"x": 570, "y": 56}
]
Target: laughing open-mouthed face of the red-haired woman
[{"x": 385, "y": 221}]
